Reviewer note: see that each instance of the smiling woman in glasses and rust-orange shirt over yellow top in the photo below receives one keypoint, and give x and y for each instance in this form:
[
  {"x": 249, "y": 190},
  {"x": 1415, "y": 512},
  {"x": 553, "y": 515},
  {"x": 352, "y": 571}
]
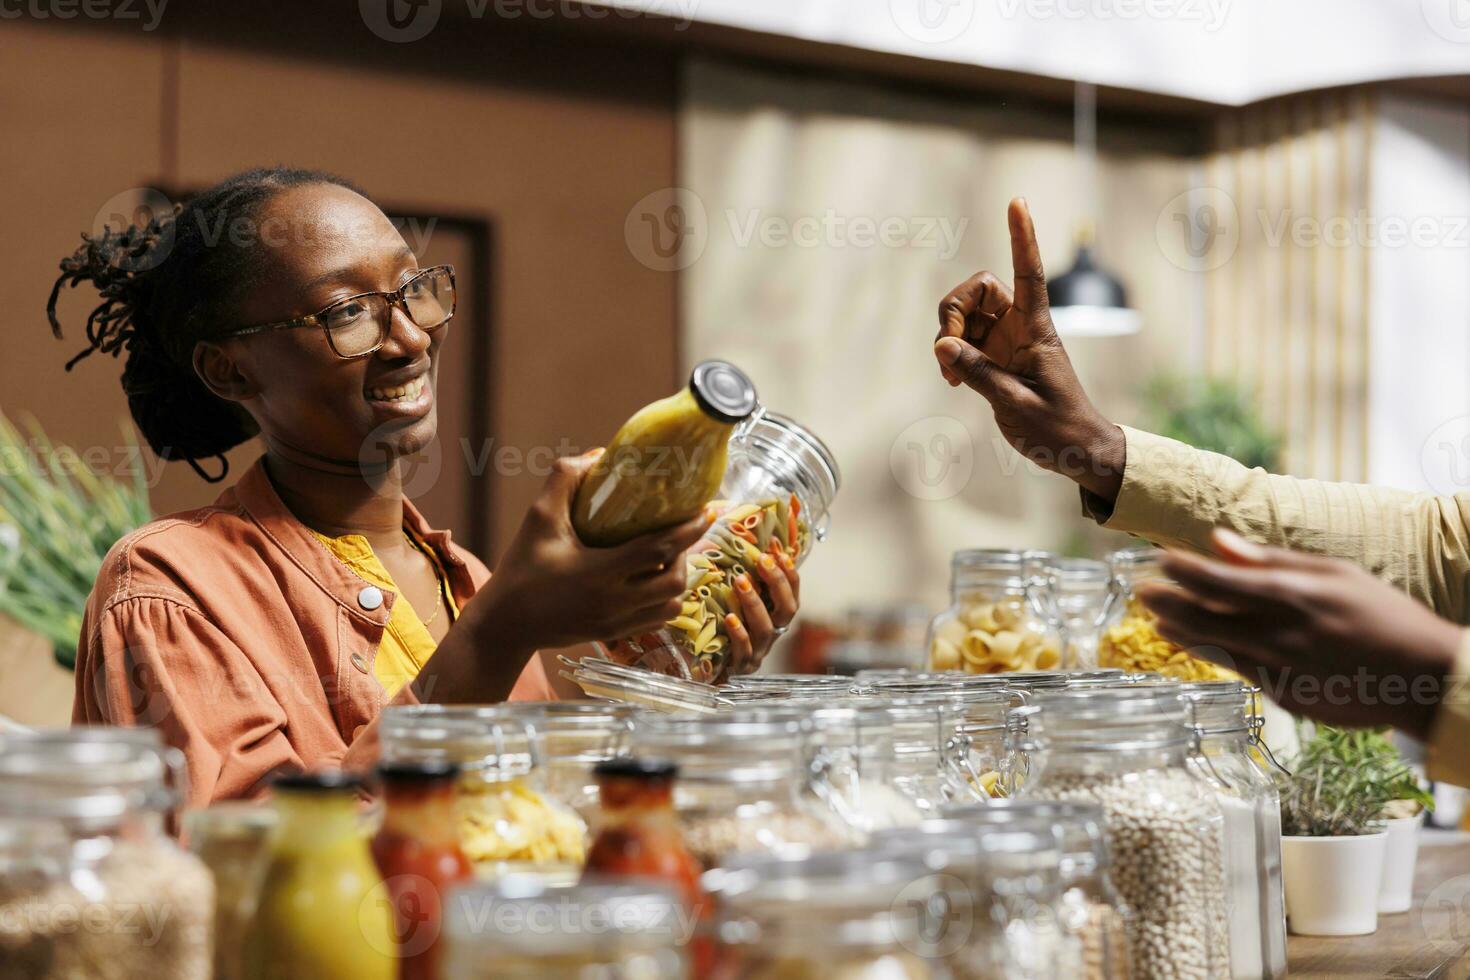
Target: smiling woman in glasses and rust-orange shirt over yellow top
[{"x": 270, "y": 630}]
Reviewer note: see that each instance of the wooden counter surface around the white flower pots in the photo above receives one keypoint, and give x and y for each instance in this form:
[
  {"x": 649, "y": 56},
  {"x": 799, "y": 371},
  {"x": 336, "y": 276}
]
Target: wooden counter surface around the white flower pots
[{"x": 1431, "y": 941}]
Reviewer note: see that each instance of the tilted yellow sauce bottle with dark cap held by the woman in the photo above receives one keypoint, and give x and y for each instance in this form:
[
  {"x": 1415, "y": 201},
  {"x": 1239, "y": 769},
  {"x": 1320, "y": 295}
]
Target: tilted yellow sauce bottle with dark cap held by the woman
[{"x": 667, "y": 462}]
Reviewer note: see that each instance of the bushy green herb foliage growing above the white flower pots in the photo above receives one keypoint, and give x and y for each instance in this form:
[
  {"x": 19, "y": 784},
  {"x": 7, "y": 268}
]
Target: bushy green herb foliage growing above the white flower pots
[{"x": 1341, "y": 782}]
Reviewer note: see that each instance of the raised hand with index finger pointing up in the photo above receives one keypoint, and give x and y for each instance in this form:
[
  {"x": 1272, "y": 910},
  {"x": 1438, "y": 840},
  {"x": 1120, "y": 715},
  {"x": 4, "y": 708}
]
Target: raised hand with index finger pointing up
[{"x": 1005, "y": 346}]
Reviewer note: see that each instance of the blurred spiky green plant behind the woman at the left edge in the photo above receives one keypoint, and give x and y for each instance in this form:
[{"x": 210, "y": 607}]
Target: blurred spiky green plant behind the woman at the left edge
[{"x": 58, "y": 519}]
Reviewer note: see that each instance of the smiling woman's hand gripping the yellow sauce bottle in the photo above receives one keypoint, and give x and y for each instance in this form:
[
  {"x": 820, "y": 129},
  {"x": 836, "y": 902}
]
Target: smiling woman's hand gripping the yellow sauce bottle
[{"x": 551, "y": 590}]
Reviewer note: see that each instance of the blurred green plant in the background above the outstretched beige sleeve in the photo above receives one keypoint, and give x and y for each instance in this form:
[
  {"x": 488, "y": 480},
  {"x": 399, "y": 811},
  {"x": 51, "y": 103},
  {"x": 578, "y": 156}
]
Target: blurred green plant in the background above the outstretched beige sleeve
[{"x": 1212, "y": 415}]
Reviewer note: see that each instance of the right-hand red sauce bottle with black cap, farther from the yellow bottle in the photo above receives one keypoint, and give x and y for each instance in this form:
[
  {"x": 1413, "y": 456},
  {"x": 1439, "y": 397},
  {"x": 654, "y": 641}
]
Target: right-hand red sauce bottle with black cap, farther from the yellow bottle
[{"x": 640, "y": 837}]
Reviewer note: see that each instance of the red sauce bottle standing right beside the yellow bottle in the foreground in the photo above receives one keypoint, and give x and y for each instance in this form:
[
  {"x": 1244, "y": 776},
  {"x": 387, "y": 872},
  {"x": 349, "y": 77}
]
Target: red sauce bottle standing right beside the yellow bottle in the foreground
[{"x": 420, "y": 857}]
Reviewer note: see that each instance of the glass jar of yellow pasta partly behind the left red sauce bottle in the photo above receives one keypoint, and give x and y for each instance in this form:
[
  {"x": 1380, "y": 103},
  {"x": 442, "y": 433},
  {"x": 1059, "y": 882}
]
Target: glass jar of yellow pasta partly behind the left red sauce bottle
[{"x": 508, "y": 819}]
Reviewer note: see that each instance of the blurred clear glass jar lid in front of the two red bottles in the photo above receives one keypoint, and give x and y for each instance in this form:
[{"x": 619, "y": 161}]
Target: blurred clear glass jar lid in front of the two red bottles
[{"x": 523, "y": 918}]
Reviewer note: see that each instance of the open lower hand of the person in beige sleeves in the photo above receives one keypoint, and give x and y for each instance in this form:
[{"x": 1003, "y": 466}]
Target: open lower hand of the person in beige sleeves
[{"x": 1322, "y": 637}]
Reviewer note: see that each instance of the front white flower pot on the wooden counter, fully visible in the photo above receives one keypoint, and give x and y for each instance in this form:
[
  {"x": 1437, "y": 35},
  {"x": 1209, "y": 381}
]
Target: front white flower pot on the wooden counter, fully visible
[{"x": 1333, "y": 884}]
